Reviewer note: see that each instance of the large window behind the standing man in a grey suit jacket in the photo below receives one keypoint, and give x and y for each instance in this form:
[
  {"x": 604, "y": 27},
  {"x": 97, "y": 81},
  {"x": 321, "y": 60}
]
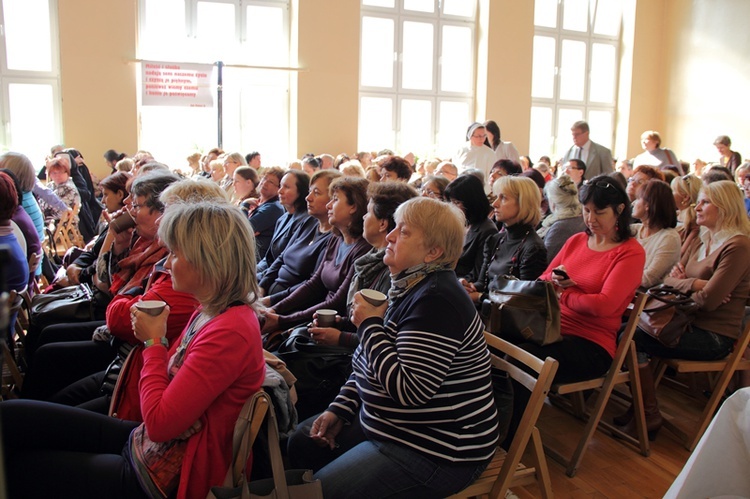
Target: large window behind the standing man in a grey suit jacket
[{"x": 574, "y": 73}]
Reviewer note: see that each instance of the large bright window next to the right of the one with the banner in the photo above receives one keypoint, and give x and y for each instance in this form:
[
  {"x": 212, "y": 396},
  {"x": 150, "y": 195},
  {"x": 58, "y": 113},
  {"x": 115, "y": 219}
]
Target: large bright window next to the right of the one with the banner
[{"x": 416, "y": 81}]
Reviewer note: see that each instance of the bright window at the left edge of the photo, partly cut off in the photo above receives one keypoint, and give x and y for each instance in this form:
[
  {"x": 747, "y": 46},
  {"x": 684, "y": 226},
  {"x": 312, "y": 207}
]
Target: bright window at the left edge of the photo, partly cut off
[{"x": 29, "y": 78}]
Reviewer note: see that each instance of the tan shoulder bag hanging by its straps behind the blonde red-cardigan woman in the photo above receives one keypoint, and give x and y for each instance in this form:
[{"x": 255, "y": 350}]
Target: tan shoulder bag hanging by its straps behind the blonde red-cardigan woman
[{"x": 291, "y": 484}]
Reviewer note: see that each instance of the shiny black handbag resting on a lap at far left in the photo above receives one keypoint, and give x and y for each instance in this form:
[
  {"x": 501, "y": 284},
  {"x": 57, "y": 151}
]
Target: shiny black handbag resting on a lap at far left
[{"x": 69, "y": 304}]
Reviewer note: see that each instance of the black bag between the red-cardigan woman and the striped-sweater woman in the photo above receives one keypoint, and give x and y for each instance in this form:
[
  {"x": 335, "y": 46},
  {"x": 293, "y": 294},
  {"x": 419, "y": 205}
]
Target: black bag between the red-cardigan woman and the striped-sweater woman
[{"x": 320, "y": 370}]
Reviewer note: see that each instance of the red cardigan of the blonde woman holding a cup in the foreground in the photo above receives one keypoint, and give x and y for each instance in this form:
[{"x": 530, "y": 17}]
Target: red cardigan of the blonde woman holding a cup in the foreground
[{"x": 223, "y": 367}]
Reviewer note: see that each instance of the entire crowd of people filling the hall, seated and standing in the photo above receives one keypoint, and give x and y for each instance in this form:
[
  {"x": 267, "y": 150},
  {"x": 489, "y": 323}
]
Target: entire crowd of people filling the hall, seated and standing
[{"x": 244, "y": 256}]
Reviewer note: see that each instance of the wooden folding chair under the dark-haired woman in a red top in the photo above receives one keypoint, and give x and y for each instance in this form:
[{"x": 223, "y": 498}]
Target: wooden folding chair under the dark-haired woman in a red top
[{"x": 625, "y": 354}]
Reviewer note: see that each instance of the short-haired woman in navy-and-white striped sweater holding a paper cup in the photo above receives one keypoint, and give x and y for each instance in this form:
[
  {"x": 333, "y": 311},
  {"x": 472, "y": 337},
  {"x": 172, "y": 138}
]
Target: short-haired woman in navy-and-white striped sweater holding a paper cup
[{"x": 421, "y": 391}]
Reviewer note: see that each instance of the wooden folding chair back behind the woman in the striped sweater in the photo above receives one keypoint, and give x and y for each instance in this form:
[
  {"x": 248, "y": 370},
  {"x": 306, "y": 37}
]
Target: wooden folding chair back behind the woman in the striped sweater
[{"x": 538, "y": 386}]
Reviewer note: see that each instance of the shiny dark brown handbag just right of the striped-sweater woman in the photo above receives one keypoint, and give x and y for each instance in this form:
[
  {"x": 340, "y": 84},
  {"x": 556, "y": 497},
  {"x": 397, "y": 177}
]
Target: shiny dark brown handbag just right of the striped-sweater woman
[{"x": 521, "y": 311}]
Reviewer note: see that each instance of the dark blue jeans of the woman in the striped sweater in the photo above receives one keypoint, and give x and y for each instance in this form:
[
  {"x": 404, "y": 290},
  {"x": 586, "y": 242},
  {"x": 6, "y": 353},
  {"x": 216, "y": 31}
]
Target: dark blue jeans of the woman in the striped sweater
[{"x": 365, "y": 468}]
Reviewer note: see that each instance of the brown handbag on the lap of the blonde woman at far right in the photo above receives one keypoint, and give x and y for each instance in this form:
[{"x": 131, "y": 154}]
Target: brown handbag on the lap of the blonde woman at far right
[{"x": 667, "y": 314}]
